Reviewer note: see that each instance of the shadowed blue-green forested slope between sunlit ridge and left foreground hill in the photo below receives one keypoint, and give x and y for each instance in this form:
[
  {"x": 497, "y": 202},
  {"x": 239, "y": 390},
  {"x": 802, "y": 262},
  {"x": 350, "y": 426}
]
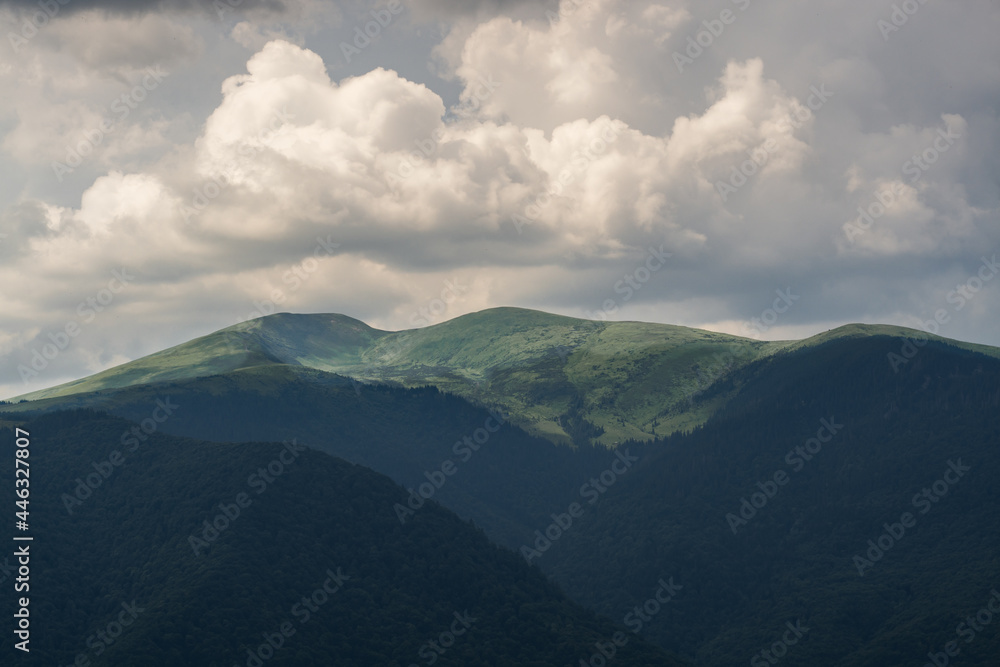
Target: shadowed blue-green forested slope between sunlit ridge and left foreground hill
[{"x": 479, "y": 466}]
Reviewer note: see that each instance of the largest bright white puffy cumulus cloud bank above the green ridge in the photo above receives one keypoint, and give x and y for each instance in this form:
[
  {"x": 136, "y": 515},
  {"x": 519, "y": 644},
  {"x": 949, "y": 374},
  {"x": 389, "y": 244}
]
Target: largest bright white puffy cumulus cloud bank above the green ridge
[{"x": 288, "y": 153}]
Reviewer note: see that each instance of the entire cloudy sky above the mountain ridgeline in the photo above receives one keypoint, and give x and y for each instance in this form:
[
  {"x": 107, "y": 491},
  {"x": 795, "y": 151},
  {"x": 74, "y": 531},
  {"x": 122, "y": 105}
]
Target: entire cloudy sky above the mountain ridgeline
[{"x": 767, "y": 169}]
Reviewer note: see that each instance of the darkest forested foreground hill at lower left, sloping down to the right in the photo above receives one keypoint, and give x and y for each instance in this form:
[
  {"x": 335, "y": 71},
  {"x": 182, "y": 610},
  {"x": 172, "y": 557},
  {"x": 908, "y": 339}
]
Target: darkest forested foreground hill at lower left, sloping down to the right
[{"x": 210, "y": 555}]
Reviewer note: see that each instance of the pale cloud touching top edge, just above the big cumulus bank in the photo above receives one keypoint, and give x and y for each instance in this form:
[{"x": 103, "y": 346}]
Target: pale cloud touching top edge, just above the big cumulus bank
[{"x": 586, "y": 60}]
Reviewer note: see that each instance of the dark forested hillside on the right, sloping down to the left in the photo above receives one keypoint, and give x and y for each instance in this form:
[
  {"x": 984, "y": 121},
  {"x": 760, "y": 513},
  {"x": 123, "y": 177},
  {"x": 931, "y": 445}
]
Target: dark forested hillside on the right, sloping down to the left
[{"x": 833, "y": 492}]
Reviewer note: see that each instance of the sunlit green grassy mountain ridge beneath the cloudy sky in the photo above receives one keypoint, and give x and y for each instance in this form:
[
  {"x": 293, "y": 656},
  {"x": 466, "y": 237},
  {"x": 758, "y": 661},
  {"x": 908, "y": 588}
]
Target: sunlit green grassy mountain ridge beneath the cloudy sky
[{"x": 564, "y": 379}]
